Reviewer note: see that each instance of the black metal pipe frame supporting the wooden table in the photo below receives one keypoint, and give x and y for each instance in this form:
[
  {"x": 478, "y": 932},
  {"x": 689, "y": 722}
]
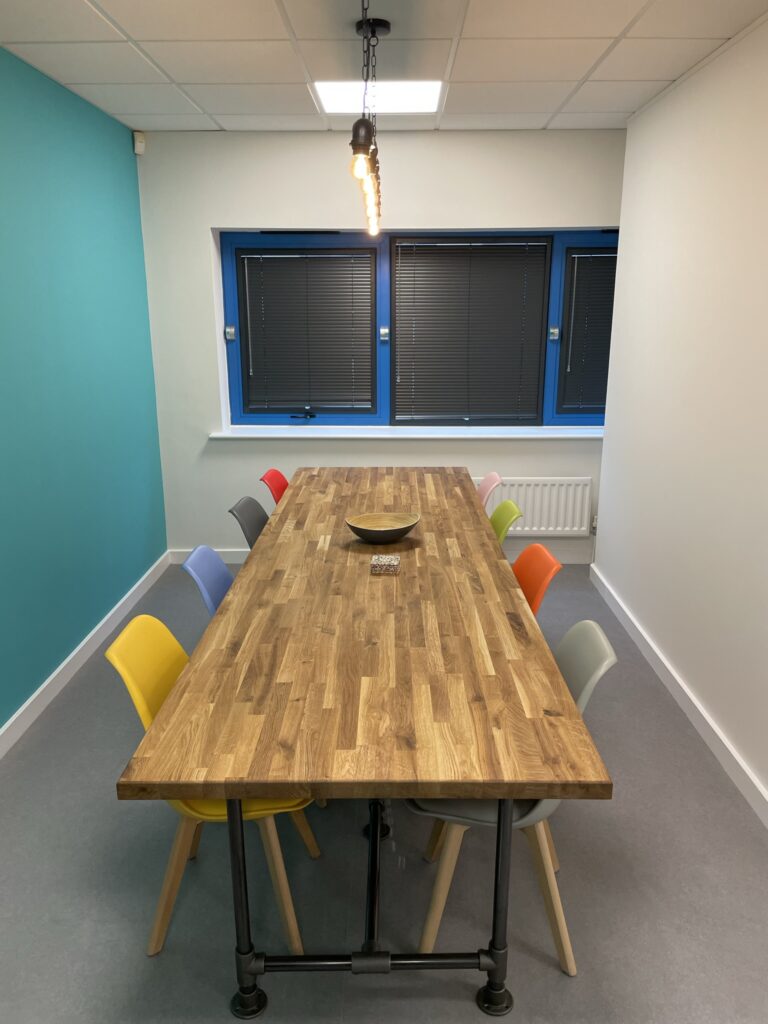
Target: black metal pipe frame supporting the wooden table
[{"x": 250, "y": 1001}]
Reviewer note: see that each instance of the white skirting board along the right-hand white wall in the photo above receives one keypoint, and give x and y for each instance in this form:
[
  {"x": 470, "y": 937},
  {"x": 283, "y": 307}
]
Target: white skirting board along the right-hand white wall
[{"x": 739, "y": 772}]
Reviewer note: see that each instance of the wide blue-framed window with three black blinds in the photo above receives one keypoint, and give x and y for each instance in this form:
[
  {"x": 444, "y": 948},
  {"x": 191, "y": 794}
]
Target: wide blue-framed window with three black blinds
[{"x": 487, "y": 329}]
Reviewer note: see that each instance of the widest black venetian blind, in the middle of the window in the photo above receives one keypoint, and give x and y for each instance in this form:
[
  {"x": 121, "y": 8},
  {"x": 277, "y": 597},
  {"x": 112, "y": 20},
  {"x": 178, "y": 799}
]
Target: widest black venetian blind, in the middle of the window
[{"x": 470, "y": 329}]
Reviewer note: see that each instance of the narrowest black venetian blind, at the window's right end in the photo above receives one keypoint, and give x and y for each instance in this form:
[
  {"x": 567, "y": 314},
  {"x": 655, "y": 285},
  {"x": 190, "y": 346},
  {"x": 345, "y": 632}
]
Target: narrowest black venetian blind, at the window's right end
[{"x": 588, "y": 310}]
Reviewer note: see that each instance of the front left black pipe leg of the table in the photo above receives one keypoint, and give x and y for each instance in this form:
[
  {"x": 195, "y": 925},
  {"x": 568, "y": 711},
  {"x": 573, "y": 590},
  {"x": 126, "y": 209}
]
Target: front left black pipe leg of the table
[{"x": 249, "y": 1001}]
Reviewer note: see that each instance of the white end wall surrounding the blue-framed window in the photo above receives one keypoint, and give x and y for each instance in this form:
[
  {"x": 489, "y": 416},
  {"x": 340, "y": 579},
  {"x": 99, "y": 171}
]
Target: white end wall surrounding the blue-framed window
[{"x": 195, "y": 184}]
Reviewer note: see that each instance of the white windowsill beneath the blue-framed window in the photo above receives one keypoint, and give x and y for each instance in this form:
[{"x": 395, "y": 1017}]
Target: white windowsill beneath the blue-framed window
[{"x": 408, "y": 434}]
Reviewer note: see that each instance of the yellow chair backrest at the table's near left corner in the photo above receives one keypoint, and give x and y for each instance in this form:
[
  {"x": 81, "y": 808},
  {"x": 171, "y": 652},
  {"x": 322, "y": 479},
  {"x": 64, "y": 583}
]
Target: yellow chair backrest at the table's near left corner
[{"x": 150, "y": 660}]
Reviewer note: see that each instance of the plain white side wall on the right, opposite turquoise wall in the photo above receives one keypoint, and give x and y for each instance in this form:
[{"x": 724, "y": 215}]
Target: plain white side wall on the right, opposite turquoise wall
[{"x": 684, "y": 538}]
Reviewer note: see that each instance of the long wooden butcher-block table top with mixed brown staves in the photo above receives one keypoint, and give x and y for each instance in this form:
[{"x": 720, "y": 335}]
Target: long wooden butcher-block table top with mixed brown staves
[{"x": 317, "y": 679}]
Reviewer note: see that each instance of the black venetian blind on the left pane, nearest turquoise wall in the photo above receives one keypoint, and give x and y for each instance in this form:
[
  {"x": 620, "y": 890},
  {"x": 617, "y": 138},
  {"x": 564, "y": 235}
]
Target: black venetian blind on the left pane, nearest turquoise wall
[{"x": 308, "y": 329}]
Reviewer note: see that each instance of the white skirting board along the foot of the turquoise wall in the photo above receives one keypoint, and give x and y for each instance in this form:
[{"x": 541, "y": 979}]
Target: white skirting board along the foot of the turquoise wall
[{"x": 19, "y": 723}]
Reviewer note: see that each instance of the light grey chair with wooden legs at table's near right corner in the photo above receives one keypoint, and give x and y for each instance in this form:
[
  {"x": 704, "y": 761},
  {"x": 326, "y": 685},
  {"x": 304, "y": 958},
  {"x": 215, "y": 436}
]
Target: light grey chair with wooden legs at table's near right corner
[{"x": 584, "y": 657}]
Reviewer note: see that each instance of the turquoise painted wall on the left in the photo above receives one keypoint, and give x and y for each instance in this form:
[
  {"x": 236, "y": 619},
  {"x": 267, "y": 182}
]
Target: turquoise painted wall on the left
[{"x": 81, "y": 497}]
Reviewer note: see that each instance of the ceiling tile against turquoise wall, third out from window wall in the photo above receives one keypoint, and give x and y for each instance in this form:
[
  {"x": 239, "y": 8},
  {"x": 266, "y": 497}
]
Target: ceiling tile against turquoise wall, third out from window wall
[{"x": 89, "y": 62}]
